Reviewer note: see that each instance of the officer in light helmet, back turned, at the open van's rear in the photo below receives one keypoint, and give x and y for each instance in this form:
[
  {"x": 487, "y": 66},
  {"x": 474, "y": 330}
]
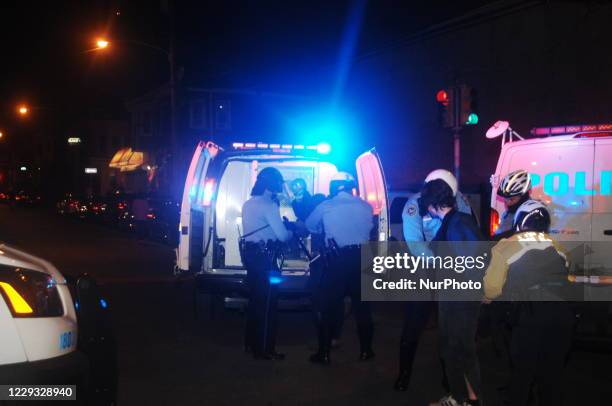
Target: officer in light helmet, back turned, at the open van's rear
[{"x": 346, "y": 222}]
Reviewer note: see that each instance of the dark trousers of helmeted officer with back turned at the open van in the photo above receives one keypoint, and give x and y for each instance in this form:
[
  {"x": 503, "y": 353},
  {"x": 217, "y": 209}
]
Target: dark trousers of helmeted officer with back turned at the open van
[{"x": 342, "y": 276}]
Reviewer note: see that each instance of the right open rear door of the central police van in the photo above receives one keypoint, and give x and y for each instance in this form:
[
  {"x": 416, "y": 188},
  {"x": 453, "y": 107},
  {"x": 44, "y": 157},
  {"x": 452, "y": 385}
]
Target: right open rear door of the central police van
[{"x": 373, "y": 189}]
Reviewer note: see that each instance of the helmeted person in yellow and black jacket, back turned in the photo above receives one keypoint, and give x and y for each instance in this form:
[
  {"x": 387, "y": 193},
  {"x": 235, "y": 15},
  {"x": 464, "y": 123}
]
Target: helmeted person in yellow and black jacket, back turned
[{"x": 530, "y": 271}]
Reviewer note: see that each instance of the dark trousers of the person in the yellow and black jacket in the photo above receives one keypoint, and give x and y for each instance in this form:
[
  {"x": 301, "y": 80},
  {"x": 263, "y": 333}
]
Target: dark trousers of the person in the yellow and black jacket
[{"x": 540, "y": 343}]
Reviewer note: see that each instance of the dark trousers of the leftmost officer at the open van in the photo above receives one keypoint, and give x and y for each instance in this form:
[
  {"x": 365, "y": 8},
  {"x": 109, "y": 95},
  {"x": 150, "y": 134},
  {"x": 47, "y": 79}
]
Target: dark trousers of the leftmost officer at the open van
[{"x": 260, "y": 334}]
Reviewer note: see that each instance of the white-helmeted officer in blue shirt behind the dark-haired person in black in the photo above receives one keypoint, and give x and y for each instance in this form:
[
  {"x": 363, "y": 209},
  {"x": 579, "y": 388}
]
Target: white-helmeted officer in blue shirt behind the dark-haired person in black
[{"x": 418, "y": 230}]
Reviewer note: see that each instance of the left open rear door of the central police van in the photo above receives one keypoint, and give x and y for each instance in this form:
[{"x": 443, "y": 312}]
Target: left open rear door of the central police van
[{"x": 203, "y": 154}]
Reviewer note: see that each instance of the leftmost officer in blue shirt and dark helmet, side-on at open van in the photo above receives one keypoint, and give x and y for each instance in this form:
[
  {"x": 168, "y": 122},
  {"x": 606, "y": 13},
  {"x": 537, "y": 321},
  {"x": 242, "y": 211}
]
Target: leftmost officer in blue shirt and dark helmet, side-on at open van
[{"x": 263, "y": 231}]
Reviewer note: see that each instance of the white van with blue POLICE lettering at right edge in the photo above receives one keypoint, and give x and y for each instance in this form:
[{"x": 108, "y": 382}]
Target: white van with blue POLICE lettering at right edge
[{"x": 571, "y": 171}]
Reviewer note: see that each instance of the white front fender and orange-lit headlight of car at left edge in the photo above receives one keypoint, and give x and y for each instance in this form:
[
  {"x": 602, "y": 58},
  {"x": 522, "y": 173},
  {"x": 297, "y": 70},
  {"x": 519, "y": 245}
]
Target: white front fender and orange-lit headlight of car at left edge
[{"x": 38, "y": 322}]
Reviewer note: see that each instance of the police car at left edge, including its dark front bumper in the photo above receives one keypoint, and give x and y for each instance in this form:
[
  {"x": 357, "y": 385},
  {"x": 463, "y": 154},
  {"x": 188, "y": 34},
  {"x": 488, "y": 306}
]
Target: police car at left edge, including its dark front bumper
[{"x": 40, "y": 343}]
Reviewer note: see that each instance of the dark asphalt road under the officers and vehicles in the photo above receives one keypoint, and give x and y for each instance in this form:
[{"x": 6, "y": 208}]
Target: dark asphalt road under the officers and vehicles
[{"x": 168, "y": 357}]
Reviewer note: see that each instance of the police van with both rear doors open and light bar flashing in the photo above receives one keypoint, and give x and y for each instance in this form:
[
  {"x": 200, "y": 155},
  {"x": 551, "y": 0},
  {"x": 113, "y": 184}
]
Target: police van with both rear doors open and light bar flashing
[{"x": 218, "y": 183}]
